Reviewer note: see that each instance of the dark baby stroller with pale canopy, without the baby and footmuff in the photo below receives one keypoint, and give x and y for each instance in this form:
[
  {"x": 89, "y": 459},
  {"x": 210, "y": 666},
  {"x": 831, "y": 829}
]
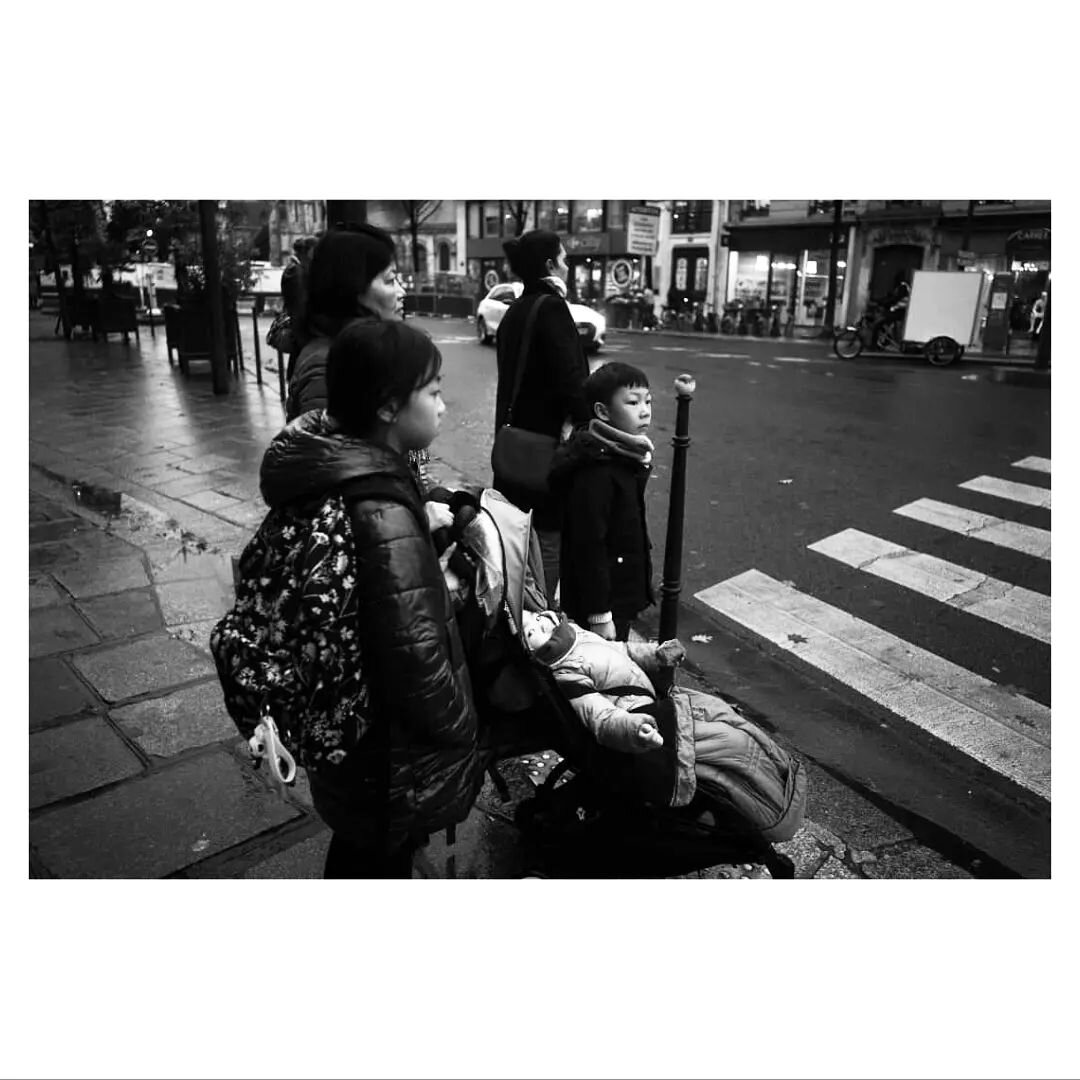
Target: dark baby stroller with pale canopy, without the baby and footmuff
[{"x": 586, "y": 819}]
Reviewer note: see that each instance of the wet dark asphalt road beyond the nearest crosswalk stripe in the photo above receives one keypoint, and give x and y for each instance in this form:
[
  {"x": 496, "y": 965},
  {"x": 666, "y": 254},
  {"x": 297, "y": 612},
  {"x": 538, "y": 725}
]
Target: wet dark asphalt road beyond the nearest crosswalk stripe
[{"x": 791, "y": 445}]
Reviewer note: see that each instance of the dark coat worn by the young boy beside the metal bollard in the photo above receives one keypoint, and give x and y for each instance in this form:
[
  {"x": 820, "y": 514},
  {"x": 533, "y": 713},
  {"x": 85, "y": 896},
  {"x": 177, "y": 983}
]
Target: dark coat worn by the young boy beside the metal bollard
[{"x": 605, "y": 560}]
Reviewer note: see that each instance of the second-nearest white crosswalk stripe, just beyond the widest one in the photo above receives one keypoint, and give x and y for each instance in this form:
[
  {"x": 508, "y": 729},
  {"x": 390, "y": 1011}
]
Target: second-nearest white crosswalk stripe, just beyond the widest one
[{"x": 1011, "y": 606}]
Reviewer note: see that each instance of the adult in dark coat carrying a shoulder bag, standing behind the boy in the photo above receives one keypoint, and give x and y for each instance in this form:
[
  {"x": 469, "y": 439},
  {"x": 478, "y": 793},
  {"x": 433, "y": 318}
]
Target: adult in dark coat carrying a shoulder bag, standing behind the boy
[{"x": 543, "y": 372}]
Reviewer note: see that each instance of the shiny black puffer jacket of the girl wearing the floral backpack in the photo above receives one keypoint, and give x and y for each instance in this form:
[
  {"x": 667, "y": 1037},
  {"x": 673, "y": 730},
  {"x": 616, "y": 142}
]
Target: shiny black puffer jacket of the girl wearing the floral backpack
[{"x": 425, "y": 722}]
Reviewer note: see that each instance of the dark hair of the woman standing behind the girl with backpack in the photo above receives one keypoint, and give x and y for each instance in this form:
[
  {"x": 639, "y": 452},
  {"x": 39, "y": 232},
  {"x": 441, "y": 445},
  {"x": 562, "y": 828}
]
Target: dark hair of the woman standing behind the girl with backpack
[{"x": 344, "y": 265}]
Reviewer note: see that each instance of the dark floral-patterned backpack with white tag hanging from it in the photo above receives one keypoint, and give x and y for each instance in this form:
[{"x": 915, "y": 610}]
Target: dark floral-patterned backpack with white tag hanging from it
[{"x": 288, "y": 654}]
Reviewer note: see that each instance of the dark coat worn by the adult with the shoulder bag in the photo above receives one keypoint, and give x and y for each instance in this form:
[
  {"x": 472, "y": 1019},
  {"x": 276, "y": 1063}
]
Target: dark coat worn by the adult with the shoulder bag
[{"x": 552, "y": 386}]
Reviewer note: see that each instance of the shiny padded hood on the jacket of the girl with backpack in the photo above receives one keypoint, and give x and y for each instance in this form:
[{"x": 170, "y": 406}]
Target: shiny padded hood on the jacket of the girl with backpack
[{"x": 313, "y": 456}]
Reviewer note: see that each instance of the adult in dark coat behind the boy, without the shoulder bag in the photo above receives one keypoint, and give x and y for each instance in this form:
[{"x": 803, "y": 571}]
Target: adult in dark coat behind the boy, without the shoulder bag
[{"x": 552, "y": 389}]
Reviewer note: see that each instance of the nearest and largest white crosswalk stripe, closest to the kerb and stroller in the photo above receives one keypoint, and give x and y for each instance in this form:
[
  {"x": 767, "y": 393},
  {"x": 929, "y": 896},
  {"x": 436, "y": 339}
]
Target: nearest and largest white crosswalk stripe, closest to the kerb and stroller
[{"x": 1004, "y": 731}]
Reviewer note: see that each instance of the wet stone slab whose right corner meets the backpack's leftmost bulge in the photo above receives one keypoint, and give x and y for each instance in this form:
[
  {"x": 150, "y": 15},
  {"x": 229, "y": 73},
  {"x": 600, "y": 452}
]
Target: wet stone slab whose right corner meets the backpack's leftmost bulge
[{"x": 158, "y": 663}]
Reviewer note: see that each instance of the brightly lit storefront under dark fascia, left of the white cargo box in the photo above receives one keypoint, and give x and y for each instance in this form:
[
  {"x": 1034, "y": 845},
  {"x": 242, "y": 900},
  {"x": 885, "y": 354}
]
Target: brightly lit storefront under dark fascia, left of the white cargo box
[{"x": 787, "y": 268}]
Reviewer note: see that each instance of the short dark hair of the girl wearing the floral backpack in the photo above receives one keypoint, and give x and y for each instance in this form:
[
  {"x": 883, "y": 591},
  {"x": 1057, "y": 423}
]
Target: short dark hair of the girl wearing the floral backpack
[{"x": 372, "y": 363}]
